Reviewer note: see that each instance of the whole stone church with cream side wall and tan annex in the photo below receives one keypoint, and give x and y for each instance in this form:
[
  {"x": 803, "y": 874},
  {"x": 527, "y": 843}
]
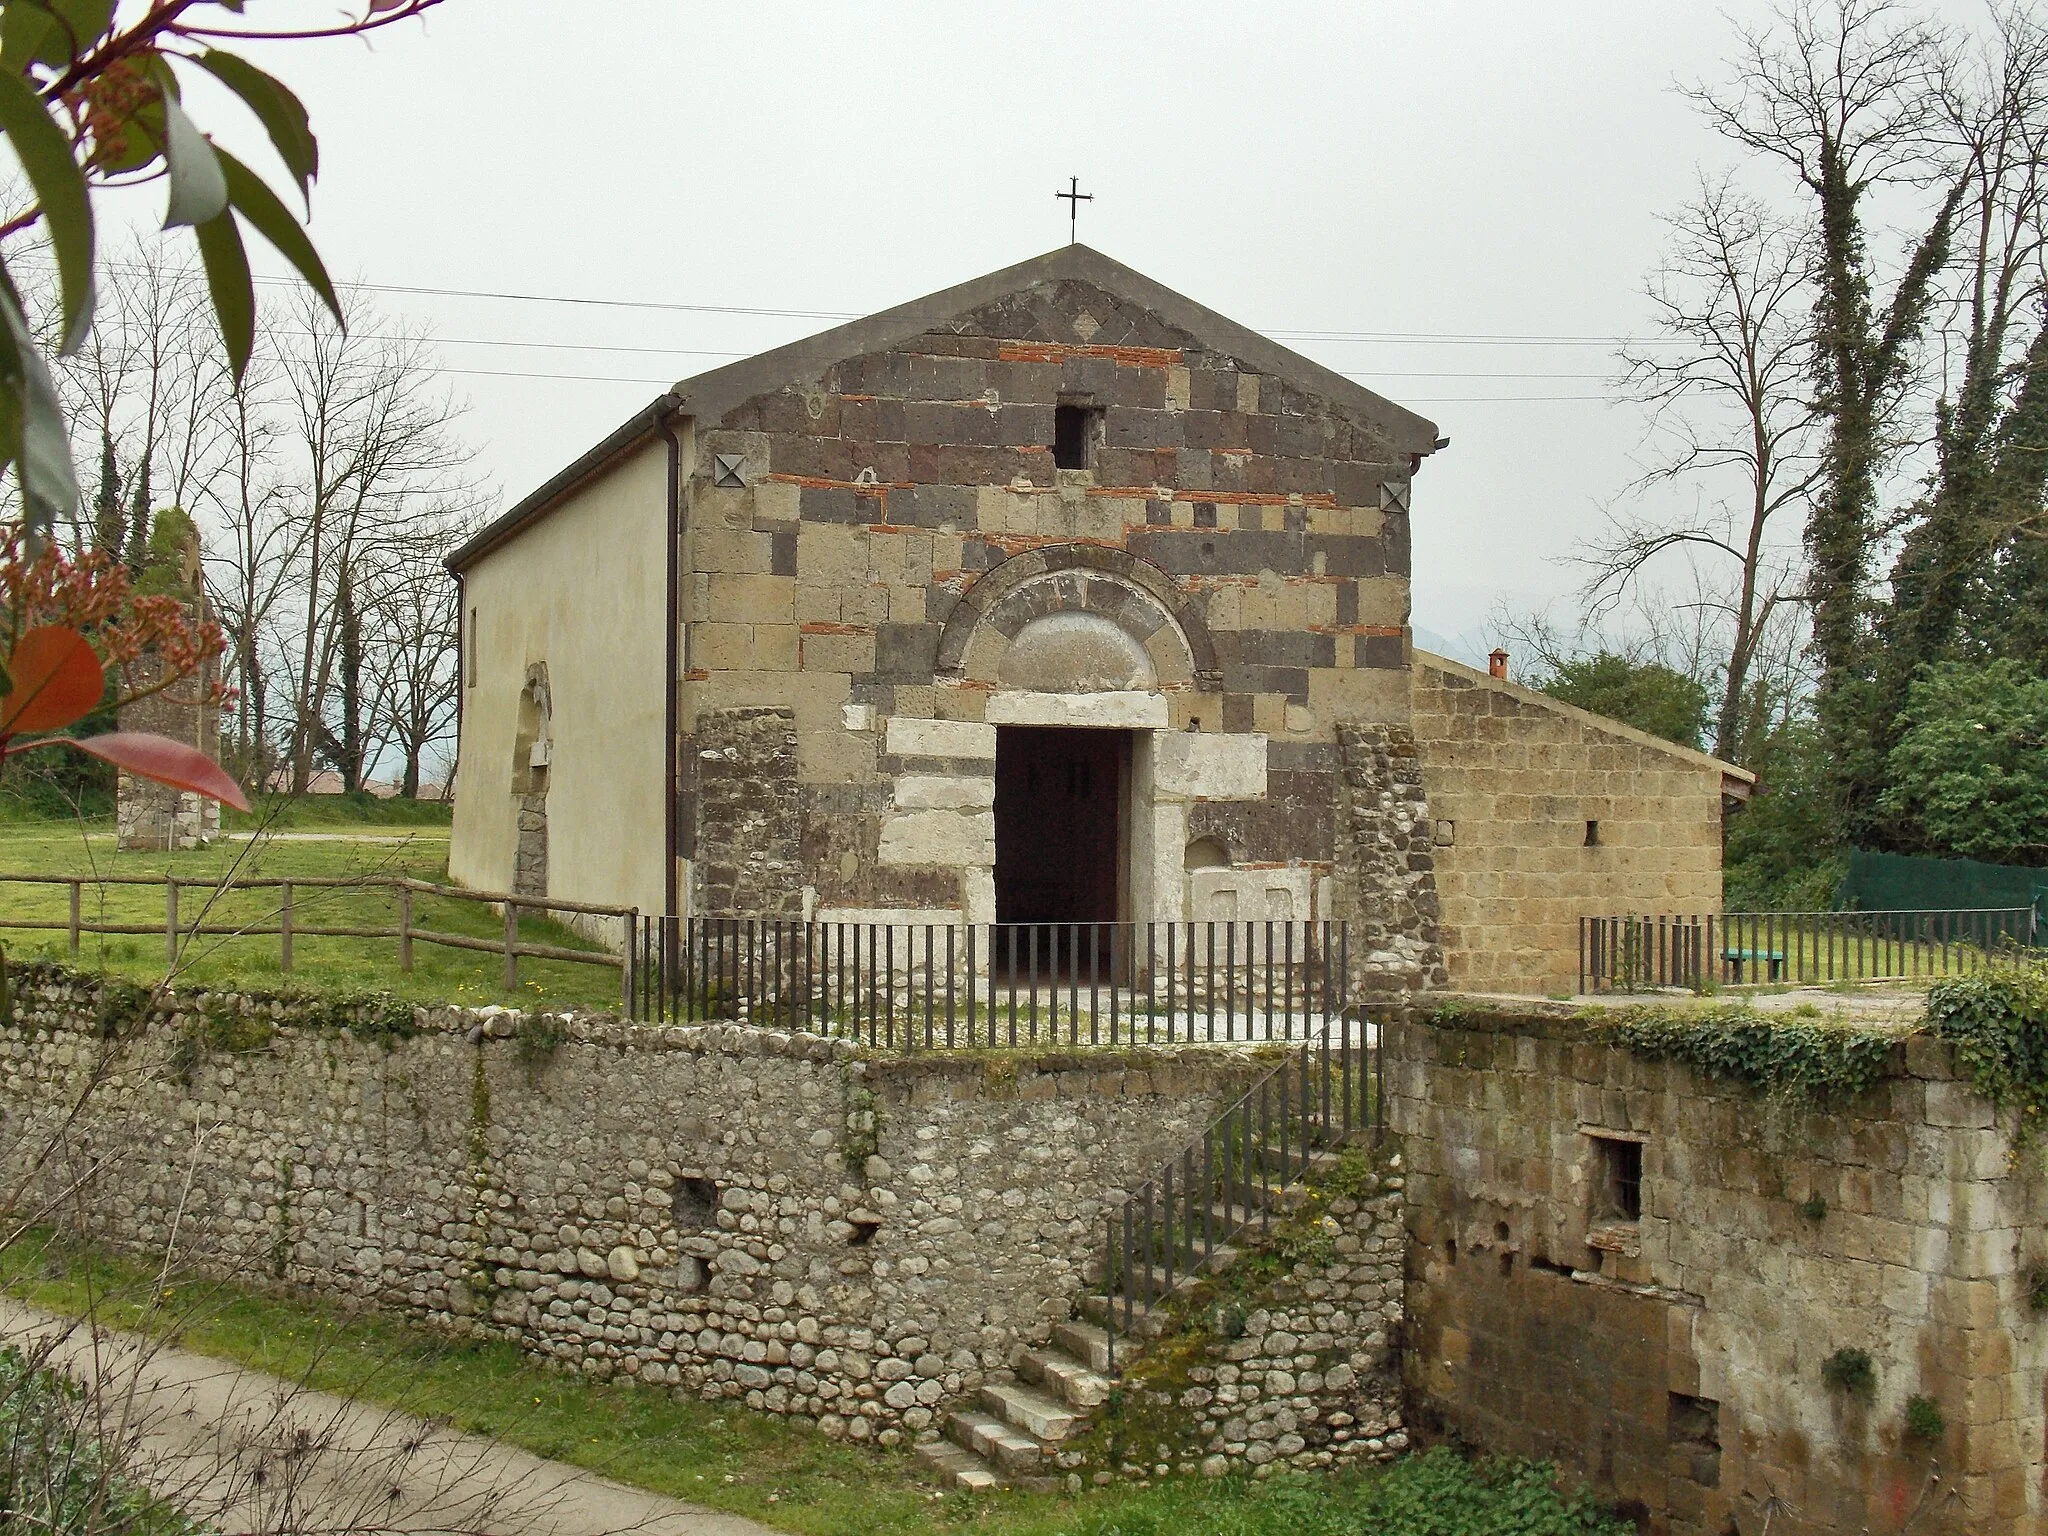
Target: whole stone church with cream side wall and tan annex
[{"x": 1054, "y": 597}]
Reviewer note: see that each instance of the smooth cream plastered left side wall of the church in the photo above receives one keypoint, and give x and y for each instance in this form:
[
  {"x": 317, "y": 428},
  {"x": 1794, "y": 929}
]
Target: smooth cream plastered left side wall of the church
[{"x": 585, "y": 595}]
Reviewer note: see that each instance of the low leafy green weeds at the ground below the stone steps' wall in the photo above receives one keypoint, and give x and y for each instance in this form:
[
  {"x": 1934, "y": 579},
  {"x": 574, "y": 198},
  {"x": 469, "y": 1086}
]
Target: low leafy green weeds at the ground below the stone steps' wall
[{"x": 1435, "y": 1494}]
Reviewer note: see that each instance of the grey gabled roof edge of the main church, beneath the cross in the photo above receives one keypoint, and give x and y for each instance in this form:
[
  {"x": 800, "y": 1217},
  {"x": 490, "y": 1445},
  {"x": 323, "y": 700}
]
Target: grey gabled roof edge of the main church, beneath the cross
[{"x": 712, "y": 394}]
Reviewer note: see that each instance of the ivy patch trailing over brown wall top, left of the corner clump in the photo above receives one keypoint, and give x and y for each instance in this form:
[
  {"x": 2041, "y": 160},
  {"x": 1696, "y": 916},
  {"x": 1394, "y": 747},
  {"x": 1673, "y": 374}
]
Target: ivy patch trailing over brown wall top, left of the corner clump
[{"x": 1785, "y": 1056}]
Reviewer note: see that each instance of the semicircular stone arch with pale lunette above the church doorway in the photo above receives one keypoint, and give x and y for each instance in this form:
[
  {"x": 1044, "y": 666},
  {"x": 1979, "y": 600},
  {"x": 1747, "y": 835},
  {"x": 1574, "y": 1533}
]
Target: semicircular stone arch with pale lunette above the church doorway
[{"x": 1078, "y": 620}]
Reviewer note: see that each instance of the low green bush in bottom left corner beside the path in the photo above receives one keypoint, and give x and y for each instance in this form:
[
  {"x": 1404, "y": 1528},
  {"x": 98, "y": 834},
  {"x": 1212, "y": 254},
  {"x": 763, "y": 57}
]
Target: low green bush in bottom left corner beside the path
[{"x": 54, "y": 1478}]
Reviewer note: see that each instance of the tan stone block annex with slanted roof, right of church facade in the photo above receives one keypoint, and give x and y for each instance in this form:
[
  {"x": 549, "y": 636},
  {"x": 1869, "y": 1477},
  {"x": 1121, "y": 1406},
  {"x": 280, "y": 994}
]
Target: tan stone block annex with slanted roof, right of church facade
[{"x": 1512, "y": 781}]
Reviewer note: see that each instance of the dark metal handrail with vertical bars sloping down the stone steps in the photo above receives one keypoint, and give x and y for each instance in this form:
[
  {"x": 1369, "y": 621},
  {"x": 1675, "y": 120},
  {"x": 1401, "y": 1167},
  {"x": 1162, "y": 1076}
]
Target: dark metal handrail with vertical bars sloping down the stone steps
[{"x": 1310, "y": 1101}]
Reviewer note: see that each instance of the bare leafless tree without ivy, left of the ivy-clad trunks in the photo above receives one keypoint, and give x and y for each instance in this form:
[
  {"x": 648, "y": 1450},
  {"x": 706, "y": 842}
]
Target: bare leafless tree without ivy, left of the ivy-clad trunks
[{"x": 1727, "y": 388}]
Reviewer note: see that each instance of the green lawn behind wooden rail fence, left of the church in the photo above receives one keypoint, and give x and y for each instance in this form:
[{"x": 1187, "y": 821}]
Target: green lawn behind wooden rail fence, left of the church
[{"x": 329, "y": 966}]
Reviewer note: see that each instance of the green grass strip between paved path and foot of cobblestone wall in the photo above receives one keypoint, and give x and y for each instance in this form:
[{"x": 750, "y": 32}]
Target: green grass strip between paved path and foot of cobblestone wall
[{"x": 777, "y": 1471}]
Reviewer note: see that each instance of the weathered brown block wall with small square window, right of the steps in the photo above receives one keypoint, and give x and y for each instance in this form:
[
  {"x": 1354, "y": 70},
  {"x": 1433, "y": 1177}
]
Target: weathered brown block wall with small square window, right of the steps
[{"x": 1676, "y": 1359}]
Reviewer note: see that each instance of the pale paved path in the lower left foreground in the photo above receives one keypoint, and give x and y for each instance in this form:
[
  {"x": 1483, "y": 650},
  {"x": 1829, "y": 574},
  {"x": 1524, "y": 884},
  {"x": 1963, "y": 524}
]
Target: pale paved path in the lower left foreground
[{"x": 253, "y": 1453}]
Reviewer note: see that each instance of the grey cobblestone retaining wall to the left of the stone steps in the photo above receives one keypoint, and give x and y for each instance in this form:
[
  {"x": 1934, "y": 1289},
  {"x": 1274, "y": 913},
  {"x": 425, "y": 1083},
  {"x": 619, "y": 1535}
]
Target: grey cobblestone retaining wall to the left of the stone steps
[{"x": 724, "y": 1211}]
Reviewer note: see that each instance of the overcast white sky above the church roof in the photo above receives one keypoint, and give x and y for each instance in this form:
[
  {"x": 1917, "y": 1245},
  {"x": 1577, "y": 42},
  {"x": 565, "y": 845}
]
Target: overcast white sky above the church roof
[{"x": 1451, "y": 171}]
